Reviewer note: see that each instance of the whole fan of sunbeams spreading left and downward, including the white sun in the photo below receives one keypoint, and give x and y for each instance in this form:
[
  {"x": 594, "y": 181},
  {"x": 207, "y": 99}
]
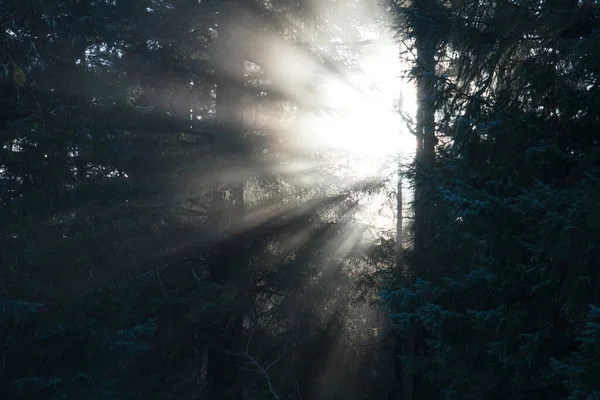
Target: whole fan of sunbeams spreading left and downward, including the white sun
[{"x": 327, "y": 103}]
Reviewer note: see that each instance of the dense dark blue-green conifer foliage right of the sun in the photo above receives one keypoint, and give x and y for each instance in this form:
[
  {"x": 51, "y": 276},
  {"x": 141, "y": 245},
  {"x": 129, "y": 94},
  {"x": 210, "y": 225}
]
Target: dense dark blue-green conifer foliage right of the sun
[{"x": 506, "y": 298}]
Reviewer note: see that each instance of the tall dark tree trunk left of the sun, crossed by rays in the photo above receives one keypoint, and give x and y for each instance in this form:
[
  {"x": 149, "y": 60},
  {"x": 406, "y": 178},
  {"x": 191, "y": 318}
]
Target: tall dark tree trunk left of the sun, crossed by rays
[{"x": 227, "y": 213}]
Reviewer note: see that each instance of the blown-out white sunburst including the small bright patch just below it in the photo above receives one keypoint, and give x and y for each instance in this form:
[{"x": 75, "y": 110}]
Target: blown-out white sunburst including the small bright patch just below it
[{"x": 366, "y": 126}]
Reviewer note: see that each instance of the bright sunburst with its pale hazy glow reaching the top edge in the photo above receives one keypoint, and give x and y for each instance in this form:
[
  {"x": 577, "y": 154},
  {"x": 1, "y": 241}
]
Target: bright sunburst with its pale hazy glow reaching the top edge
[{"x": 338, "y": 95}]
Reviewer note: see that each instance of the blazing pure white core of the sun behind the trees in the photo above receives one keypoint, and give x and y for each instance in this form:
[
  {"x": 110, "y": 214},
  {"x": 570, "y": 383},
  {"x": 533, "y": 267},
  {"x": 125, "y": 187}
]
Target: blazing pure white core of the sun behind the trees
[{"x": 364, "y": 117}]
